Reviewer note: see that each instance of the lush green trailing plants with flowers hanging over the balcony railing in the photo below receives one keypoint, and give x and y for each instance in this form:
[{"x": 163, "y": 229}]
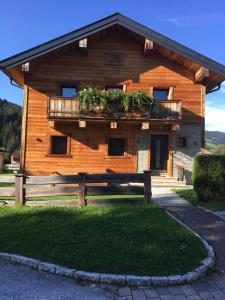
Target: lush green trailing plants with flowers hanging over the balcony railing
[{"x": 93, "y": 99}]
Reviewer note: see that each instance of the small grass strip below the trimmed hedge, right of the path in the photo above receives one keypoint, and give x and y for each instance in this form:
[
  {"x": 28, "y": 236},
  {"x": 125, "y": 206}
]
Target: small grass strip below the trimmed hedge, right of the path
[{"x": 190, "y": 196}]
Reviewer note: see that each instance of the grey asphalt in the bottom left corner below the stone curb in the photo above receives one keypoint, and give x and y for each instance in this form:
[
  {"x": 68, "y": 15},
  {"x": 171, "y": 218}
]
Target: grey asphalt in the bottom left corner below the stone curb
[{"x": 22, "y": 283}]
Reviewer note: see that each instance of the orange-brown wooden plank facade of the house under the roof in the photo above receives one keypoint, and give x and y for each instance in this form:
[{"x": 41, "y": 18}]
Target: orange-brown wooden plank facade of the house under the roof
[{"x": 142, "y": 65}]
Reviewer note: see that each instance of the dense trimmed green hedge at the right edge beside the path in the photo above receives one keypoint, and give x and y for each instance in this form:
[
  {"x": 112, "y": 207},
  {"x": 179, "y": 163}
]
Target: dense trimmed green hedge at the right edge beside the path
[{"x": 209, "y": 177}]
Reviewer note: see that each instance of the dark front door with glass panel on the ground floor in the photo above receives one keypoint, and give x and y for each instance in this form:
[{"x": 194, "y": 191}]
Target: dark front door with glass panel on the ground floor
[{"x": 159, "y": 152}]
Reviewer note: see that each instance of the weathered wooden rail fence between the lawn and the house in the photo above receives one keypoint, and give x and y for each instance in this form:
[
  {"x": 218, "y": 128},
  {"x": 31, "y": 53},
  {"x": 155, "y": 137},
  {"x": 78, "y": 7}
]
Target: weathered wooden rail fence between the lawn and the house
[{"x": 81, "y": 185}]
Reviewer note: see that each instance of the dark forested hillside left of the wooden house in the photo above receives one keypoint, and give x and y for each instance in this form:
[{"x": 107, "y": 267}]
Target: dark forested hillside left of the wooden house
[{"x": 10, "y": 125}]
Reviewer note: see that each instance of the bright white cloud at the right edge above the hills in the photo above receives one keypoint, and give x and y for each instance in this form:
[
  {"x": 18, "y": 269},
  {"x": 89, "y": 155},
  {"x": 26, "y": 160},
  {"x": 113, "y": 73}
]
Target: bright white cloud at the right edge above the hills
[{"x": 215, "y": 118}]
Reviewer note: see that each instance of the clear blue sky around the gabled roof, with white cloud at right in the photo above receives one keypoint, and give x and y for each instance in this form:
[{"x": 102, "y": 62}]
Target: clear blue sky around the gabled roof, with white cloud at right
[{"x": 198, "y": 24}]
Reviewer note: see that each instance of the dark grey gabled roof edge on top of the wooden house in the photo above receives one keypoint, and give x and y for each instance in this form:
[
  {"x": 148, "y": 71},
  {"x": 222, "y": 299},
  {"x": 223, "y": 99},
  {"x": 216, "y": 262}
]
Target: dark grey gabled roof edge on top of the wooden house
[{"x": 114, "y": 19}]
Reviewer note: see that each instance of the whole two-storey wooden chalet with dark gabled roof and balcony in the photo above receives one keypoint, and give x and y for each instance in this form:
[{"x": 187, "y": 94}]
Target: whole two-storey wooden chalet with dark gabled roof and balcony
[{"x": 113, "y": 53}]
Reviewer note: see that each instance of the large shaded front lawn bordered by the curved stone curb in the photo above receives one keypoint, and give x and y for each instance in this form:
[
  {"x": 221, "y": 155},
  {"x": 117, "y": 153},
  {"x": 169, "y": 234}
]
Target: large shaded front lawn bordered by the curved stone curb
[{"x": 133, "y": 239}]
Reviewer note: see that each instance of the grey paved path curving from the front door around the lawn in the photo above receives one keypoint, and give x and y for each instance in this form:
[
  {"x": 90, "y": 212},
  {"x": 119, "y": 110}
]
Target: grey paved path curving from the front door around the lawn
[{"x": 210, "y": 227}]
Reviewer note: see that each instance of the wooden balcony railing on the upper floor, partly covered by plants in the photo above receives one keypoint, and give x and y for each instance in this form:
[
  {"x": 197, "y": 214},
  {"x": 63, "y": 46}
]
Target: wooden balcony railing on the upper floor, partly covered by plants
[{"x": 69, "y": 108}]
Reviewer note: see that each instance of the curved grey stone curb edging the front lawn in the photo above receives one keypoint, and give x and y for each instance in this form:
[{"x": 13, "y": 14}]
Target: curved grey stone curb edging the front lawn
[{"x": 118, "y": 279}]
